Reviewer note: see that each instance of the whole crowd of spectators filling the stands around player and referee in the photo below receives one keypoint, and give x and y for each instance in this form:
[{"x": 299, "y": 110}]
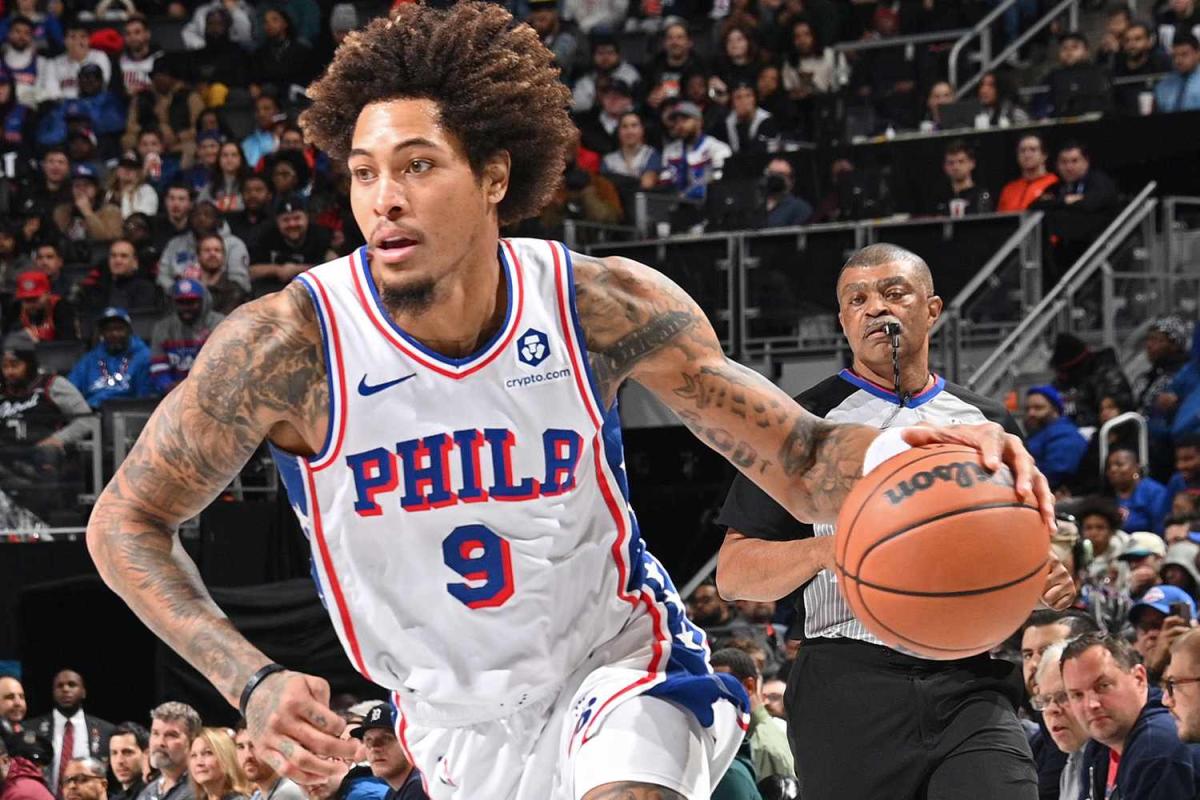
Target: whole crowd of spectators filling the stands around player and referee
[{"x": 146, "y": 195}]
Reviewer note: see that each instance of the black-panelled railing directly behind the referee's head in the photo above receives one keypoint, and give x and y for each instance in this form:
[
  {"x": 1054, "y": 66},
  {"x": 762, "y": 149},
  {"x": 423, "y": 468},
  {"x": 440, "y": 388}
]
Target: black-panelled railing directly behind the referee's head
[{"x": 771, "y": 293}]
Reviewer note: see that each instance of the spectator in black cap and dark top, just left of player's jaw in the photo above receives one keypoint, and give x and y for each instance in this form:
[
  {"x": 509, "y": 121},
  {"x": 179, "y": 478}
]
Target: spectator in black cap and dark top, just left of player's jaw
[{"x": 291, "y": 248}]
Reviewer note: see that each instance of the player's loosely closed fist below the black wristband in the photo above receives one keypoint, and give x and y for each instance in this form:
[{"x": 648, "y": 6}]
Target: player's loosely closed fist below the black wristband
[{"x": 293, "y": 727}]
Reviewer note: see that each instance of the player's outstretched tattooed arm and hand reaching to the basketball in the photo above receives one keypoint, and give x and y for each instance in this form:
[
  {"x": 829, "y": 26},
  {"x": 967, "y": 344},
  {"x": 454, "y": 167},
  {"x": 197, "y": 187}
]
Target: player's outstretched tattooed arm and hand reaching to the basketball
[{"x": 640, "y": 326}]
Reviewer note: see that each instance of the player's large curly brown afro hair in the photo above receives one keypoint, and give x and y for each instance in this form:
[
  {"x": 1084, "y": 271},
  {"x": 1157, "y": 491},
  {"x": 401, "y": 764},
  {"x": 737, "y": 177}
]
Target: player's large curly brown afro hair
[{"x": 497, "y": 88}]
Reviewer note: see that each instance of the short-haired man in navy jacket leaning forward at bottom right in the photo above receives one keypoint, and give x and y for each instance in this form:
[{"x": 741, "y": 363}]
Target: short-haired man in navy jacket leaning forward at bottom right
[{"x": 1109, "y": 691}]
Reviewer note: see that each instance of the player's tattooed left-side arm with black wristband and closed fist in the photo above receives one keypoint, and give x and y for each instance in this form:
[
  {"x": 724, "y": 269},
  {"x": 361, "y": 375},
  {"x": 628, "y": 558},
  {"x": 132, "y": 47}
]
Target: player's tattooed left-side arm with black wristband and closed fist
[{"x": 262, "y": 374}]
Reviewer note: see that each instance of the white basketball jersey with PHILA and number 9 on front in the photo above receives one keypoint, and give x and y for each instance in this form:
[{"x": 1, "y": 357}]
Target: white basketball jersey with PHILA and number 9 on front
[{"x": 469, "y": 518}]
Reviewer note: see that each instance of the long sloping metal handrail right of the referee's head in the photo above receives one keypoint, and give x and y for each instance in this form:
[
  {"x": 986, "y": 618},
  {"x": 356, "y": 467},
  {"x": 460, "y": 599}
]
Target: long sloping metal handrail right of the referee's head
[{"x": 1016, "y": 344}]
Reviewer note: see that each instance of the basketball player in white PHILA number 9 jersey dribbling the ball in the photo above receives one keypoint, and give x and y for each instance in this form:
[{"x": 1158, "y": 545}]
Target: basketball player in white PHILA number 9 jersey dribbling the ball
[{"x": 442, "y": 410}]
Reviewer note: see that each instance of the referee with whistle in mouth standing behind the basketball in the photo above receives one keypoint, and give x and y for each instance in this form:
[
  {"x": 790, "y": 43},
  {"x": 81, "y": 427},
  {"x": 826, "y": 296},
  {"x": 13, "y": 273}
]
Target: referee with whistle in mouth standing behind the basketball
[{"x": 866, "y": 721}]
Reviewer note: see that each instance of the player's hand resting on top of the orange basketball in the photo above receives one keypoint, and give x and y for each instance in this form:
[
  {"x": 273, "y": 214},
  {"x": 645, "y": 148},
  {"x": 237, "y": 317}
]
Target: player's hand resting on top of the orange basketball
[{"x": 997, "y": 448}]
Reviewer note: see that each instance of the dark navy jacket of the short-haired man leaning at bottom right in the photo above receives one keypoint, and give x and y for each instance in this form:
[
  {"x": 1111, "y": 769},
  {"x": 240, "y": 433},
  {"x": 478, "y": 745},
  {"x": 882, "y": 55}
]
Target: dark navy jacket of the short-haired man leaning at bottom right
[{"x": 1155, "y": 765}]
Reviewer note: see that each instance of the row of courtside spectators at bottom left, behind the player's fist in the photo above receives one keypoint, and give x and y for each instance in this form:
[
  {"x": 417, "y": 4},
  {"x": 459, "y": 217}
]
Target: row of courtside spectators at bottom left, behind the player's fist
[{"x": 171, "y": 755}]
